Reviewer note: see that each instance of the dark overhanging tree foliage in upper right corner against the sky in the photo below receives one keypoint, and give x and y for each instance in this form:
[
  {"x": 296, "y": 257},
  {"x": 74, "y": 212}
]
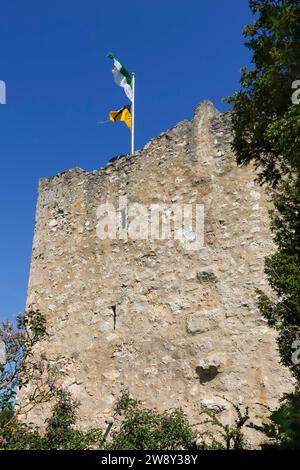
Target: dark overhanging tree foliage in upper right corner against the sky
[{"x": 265, "y": 122}]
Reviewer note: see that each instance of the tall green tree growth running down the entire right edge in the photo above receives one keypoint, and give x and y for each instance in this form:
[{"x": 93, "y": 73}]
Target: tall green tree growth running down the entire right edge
[{"x": 266, "y": 125}]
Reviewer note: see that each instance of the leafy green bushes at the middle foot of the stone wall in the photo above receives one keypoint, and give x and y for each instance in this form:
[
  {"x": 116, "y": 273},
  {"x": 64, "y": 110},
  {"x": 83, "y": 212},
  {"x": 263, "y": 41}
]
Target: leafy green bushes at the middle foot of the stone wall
[{"x": 140, "y": 428}]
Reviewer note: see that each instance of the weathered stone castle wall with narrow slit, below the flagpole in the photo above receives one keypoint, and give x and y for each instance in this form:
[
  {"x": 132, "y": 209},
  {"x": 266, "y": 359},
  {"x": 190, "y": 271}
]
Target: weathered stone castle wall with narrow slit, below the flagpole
[{"x": 174, "y": 326}]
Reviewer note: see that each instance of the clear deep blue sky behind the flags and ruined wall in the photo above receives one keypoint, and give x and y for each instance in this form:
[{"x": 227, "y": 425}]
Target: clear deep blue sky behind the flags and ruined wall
[{"x": 59, "y": 83}]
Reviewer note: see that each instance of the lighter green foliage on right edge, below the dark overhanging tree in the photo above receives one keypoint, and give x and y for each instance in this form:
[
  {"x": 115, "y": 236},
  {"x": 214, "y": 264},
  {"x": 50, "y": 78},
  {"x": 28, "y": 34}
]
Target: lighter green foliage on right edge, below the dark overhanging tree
[{"x": 283, "y": 272}]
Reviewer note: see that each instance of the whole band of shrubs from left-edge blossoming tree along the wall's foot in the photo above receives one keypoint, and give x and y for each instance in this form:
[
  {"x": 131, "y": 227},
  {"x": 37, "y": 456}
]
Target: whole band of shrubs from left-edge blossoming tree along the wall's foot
[{"x": 137, "y": 428}]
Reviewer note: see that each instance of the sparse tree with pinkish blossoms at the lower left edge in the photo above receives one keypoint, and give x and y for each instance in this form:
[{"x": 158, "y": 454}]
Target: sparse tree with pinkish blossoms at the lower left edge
[{"x": 21, "y": 368}]
